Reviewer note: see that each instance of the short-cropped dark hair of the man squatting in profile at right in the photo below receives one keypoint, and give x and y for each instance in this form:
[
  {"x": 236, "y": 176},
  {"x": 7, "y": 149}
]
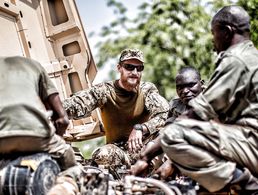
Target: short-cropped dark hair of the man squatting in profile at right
[{"x": 233, "y": 15}]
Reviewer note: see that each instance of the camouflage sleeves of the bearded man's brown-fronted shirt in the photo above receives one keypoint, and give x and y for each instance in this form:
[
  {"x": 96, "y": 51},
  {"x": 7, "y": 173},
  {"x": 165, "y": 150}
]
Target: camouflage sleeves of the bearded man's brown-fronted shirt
[{"x": 84, "y": 102}]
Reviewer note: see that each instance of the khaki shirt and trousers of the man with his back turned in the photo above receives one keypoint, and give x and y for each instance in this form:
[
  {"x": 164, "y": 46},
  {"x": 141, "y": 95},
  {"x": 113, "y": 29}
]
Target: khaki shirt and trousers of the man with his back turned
[{"x": 24, "y": 123}]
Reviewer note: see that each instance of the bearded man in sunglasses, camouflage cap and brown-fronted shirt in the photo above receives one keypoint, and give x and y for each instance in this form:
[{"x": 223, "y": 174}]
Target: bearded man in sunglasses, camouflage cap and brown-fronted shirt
[{"x": 130, "y": 109}]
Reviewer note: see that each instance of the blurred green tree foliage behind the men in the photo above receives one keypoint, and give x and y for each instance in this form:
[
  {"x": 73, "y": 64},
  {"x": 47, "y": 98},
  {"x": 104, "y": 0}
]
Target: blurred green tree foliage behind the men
[{"x": 171, "y": 33}]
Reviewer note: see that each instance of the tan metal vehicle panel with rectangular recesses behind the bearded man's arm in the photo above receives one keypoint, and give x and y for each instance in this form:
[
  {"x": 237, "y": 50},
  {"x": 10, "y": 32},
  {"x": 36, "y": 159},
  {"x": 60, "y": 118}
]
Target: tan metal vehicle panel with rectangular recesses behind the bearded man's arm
[{"x": 51, "y": 32}]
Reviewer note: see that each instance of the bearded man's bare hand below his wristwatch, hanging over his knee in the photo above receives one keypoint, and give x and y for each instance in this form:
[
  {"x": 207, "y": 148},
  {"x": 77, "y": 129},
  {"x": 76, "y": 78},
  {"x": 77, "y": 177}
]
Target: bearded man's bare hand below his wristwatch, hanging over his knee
[{"x": 135, "y": 140}]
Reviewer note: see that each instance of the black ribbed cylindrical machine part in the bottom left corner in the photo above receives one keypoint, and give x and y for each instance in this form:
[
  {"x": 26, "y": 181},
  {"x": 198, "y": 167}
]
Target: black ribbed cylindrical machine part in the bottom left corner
[{"x": 30, "y": 175}]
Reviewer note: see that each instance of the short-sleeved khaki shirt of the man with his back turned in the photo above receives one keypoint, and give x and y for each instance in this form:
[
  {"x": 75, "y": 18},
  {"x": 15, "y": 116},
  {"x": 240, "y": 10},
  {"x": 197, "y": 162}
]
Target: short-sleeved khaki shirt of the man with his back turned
[{"x": 22, "y": 111}]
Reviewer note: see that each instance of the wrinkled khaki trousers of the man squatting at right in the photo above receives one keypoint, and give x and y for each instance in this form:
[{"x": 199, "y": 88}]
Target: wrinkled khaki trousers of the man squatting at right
[{"x": 208, "y": 151}]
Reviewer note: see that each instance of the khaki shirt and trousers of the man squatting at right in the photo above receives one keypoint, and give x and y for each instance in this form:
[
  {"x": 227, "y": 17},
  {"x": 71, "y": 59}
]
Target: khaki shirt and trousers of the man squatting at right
[{"x": 208, "y": 151}]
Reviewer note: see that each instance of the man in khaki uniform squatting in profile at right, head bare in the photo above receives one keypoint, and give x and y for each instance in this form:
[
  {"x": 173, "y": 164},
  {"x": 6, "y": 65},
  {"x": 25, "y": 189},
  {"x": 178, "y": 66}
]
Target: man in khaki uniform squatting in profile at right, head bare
[{"x": 215, "y": 143}]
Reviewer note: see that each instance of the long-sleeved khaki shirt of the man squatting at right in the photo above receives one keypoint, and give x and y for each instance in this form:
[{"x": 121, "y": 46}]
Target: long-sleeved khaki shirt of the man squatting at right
[{"x": 232, "y": 93}]
